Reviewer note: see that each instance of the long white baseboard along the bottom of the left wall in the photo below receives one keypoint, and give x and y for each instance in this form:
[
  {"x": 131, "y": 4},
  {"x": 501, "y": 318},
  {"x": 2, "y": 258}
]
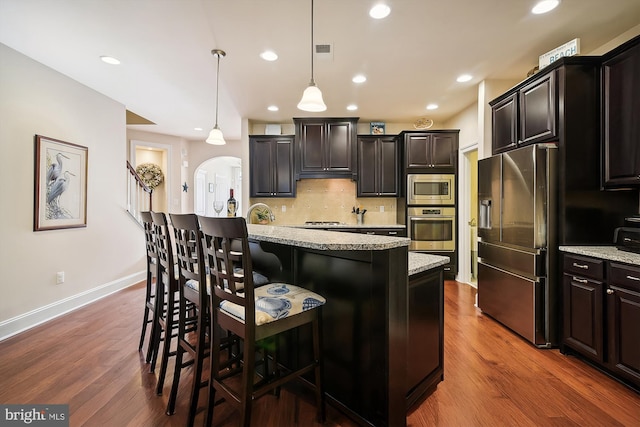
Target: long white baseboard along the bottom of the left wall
[{"x": 15, "y": 325}]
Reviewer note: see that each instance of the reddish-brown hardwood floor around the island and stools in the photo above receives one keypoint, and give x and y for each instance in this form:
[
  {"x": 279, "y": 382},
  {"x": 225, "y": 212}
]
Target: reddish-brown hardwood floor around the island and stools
[{"x": 89, "y": 360}]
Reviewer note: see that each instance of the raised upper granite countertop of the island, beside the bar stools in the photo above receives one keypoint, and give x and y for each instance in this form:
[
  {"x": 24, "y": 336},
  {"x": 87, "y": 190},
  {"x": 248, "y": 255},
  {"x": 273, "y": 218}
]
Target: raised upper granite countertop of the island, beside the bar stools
[{"x": 322, "y": 239}]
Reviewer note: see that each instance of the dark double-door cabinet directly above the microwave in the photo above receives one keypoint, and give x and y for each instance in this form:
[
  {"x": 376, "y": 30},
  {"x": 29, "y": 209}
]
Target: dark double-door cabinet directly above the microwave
[{"x": 430, "y": 151}]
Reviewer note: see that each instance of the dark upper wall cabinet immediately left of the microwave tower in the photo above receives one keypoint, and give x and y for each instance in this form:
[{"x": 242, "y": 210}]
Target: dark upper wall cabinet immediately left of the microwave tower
[{"x": 377, "y": 166}]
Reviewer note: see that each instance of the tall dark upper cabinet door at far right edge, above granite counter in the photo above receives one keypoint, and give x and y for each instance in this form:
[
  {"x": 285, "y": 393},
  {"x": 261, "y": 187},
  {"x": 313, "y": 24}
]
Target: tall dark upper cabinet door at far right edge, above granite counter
[{"x": 621, "y": 112}]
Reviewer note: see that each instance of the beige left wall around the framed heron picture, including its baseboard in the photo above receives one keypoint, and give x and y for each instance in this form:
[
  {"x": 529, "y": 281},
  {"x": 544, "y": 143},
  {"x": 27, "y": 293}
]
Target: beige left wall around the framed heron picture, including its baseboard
[{"x": 101, "y": 258}]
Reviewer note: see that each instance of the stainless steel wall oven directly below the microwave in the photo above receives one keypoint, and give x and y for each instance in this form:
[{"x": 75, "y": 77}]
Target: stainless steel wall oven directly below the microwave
[{"x": 432, "y": 228}]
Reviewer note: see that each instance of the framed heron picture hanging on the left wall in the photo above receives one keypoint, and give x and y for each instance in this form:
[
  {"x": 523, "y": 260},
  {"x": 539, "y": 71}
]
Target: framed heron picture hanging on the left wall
[{"x": 60, "y": 185}]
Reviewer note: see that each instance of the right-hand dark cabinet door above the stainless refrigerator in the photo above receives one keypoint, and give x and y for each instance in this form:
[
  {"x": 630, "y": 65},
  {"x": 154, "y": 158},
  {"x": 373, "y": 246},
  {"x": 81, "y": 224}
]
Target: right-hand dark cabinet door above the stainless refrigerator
[{"x": 537, "y": 104}]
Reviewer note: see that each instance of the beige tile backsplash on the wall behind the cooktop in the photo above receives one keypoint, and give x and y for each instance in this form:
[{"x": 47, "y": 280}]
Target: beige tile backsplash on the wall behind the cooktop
[{"x": 330, "y": 200}]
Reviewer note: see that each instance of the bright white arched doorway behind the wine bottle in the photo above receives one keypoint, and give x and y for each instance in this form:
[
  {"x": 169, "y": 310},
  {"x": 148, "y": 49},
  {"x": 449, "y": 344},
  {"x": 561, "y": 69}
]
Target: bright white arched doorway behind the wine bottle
[{"x": 213, "y": 179}]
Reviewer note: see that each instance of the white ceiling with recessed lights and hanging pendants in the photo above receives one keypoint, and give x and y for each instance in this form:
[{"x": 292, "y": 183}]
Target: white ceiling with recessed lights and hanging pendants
[{"x": 411, "y": 58}]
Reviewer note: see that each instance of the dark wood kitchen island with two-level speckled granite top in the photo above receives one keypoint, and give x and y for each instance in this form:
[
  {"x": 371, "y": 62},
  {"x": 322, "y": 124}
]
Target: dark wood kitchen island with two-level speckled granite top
[{"x": 383, "y": 320}]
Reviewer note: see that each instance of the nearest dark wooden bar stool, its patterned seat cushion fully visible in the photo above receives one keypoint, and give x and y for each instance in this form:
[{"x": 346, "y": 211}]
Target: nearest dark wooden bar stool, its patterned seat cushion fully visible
[{"x": 254, "y": 314}]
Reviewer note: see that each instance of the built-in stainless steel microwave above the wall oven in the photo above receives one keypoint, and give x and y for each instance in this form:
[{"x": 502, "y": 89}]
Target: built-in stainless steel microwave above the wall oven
[{"x": 431, "y": 189}]
